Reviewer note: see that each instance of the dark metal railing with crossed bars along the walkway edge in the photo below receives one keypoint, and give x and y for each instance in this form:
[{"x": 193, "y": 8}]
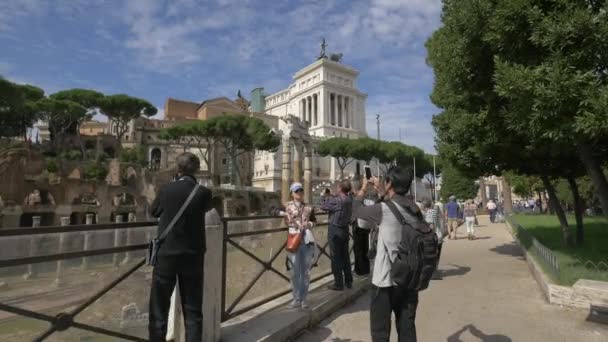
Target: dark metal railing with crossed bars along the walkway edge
[{"x": 70, "y": 313}]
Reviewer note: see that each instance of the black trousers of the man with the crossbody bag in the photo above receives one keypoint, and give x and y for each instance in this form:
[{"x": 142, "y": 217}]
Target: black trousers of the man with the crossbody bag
[{"x": 188, "y": 270}]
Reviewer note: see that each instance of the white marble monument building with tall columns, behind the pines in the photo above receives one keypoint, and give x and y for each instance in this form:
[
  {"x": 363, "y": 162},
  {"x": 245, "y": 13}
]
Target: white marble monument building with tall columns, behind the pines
[{"x": 324, "y": 98}]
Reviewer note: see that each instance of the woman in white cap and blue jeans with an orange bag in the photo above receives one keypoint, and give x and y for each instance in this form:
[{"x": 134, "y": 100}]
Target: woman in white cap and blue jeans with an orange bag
[{"x": 300, "y": 219}]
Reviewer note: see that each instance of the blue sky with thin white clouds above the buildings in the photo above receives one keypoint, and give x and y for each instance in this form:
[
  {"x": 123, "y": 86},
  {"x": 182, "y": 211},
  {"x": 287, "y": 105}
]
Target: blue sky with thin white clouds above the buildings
[{"x": 200, "y": 49}]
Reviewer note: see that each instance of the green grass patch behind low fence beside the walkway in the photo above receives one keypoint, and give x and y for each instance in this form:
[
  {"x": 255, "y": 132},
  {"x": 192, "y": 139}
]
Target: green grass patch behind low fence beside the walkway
[{"x": 589, "y": 261}]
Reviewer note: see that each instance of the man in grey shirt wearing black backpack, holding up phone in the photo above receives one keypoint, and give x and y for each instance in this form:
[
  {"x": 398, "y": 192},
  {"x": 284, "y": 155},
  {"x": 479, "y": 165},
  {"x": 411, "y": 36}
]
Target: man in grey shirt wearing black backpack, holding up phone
[{"x": 404, "y": 253}]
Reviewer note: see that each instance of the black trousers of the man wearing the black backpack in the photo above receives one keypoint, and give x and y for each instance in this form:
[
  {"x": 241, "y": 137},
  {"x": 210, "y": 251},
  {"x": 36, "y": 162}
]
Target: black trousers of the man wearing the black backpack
[{"x": 386, "y": 300}]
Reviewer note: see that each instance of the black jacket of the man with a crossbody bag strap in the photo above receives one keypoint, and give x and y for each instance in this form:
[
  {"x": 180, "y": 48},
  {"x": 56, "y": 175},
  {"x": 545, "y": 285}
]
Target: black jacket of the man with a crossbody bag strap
[{"x": 188, "y": 235}]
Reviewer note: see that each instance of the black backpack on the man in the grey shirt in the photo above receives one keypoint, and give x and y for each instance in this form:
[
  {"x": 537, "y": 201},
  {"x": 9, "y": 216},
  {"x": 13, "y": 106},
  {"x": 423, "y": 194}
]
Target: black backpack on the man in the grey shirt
[{"x": 417, "y": 253}]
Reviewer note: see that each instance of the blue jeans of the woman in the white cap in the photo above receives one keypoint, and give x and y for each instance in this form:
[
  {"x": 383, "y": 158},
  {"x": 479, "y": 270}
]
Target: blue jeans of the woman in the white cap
[{"x": 300, "y": 272}]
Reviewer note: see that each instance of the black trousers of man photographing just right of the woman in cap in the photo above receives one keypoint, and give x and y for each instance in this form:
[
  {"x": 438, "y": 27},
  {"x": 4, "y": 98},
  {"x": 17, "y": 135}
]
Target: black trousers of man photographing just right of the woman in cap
[{"x": 340, "y": 260}]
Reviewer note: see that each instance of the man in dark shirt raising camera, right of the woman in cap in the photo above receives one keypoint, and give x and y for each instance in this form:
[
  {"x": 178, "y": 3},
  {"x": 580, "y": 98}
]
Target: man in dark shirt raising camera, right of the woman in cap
[{"x": 340, "y": 209}]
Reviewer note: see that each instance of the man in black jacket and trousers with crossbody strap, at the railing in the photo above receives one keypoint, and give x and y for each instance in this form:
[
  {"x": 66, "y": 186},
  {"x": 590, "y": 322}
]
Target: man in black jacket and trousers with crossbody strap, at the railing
[{"x": 181, "y": 254}]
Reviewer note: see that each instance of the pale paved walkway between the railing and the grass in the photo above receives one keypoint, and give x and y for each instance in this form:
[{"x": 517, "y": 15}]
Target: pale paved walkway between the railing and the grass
[{"x": 487, "y": 294}]
